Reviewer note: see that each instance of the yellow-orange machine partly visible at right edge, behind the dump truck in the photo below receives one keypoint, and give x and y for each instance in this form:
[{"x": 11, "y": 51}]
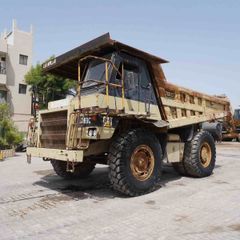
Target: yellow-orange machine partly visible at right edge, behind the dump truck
[{"x": 231, "y": 127}]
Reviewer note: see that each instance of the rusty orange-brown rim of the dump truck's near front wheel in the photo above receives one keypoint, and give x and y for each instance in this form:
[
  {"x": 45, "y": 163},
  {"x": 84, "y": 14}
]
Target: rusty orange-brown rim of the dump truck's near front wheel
[{"x": 142, "y": 162}]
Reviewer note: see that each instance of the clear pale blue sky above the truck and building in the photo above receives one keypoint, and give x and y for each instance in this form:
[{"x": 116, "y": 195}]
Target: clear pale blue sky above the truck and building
[{"x": 200, "y": 39}]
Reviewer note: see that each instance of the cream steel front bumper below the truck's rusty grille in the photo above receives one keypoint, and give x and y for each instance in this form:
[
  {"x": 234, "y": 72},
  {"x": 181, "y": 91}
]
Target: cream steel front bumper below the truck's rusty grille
[{"x": 58, "y": 154}]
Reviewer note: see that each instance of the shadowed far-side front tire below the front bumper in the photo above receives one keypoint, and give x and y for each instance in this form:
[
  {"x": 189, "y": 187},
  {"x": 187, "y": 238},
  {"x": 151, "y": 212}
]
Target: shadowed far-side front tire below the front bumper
[{"x": 81, "y": 170}]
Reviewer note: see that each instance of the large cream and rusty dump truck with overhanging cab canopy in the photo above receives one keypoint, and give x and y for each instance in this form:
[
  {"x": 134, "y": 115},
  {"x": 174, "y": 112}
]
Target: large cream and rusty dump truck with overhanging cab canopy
[{"x": 126, "y": 115}]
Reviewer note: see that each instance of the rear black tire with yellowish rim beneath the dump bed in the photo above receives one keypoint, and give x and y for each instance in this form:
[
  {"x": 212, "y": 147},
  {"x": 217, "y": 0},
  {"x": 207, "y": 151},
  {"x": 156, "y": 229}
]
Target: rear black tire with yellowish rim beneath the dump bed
[{"x": 199, "y": 156}]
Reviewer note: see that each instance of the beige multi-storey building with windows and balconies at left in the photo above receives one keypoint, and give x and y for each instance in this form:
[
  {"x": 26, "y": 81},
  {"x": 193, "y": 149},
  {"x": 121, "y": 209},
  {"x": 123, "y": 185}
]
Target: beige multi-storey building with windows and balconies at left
[{"x": 15, "y": 61}]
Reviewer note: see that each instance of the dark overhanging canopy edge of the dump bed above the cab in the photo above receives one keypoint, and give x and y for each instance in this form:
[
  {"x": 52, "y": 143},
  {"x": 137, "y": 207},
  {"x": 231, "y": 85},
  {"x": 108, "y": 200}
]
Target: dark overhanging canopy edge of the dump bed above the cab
[{"x": 61, "y": 63}]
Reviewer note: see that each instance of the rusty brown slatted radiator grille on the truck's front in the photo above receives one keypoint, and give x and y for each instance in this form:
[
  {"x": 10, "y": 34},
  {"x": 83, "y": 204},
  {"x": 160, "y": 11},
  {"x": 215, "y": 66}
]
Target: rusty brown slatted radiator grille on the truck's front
[{"x": 53, "y": 128}]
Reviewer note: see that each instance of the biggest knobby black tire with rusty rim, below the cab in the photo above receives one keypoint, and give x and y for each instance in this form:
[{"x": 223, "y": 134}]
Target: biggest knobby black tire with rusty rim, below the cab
[{"x": 135, "y": 162}]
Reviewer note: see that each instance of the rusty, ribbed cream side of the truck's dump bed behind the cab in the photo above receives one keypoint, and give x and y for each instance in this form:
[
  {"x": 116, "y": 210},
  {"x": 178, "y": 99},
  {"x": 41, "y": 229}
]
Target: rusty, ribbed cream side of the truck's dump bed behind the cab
[{"x": 184, "y": 106}]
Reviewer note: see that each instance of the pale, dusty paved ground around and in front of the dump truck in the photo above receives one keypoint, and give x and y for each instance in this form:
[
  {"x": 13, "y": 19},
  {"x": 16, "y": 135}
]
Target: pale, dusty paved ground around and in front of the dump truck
[{"x": 37, "y": 204}]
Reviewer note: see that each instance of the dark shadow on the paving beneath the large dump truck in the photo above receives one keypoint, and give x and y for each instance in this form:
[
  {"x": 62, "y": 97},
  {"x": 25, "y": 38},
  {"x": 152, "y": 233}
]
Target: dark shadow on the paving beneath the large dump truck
[{"x": 97, "y": 186}]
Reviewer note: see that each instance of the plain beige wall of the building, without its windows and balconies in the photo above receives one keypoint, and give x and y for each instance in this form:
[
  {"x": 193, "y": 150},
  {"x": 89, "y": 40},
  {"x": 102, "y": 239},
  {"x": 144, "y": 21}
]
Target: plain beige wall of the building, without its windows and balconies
[{"x": 18, "y": 43}]
